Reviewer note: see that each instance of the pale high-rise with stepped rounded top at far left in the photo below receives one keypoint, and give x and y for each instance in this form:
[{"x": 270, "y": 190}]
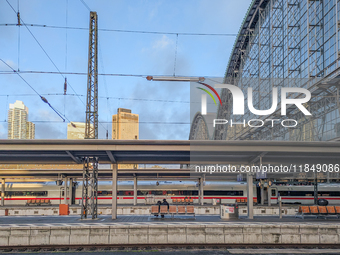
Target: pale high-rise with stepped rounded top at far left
[{"x": 18, "y": 126}]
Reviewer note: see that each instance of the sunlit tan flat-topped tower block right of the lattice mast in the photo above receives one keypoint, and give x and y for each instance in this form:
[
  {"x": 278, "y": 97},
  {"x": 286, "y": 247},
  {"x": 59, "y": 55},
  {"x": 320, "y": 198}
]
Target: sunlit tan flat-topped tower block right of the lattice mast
[{"x": 125, "y": 126}]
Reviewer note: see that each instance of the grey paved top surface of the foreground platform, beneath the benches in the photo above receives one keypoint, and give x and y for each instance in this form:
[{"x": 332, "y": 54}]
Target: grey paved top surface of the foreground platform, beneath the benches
[{"x": 18, "y": 221}]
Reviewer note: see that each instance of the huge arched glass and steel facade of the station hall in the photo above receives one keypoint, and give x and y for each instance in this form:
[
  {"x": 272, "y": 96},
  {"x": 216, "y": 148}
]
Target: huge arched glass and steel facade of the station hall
[{"x": 290, "y": 44}]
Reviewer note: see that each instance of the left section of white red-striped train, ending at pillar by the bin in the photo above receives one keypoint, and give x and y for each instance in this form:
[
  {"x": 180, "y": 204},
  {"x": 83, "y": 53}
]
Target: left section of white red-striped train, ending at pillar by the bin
[{"x": 148, "y": 192}]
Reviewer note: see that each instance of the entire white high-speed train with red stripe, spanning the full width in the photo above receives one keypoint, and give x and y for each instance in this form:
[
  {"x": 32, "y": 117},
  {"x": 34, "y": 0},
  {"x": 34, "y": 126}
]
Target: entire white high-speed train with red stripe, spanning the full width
[{"x": 150, "y": 192}]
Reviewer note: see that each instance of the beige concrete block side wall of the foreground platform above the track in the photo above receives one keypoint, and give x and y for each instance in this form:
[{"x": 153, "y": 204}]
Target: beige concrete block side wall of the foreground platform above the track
[{"x": 171, "y": 234}]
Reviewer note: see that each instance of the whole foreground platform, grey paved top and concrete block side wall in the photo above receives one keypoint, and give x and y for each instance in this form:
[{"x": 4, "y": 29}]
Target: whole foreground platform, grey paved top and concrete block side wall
[{"x": 149, "y": 230}]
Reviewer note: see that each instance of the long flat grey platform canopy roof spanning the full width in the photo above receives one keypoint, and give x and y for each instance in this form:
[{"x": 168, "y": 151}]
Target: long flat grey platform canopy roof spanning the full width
[{"x": 158, "y": 152}]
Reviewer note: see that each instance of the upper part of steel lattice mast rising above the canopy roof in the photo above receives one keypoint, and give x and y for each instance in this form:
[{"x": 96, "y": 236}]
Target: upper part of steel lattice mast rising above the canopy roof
[{"x": 91, "y": 128}]
